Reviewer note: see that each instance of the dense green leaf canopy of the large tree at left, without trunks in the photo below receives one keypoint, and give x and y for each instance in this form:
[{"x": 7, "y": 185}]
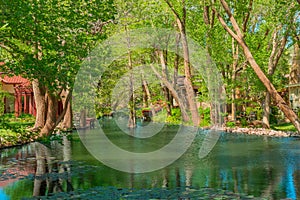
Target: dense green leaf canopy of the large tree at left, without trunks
[{"x": 50, "y": 38}]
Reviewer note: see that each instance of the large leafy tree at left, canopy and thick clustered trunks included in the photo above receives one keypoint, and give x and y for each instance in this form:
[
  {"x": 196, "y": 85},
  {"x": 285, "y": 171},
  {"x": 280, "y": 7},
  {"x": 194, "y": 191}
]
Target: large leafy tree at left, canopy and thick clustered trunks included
[{"x": 47, "y": 41}]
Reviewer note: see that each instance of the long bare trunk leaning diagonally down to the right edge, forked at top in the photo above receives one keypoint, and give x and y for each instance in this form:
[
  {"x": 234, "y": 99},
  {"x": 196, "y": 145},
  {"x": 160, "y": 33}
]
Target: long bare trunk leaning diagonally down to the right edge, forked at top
[{"x": 238, "y": 36}]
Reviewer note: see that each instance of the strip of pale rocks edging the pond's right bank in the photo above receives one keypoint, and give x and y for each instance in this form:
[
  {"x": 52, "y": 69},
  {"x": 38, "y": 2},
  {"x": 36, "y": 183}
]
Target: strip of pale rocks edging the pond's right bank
[{"x": 261, "y": 132}]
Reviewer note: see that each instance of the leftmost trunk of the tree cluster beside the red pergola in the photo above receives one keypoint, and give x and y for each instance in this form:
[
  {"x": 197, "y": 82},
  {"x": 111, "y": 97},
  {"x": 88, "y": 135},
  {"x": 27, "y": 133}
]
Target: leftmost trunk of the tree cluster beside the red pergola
[{"x": 40, "y": 102}]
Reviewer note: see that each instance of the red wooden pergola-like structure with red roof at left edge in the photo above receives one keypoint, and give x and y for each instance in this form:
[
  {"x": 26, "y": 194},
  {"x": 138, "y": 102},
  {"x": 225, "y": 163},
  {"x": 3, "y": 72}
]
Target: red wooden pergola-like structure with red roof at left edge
[{"x": 21, "y": 99}]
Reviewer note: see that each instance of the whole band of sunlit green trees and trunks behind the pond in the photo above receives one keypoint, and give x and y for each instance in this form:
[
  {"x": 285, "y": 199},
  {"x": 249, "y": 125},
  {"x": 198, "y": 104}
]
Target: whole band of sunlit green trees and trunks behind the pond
[{"x": 253, "y": 47}]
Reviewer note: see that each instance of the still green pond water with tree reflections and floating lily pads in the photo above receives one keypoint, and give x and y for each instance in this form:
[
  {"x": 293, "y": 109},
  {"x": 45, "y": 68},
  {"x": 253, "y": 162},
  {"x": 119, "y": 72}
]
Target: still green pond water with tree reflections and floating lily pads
[{"x": 238, "y": 165}]
